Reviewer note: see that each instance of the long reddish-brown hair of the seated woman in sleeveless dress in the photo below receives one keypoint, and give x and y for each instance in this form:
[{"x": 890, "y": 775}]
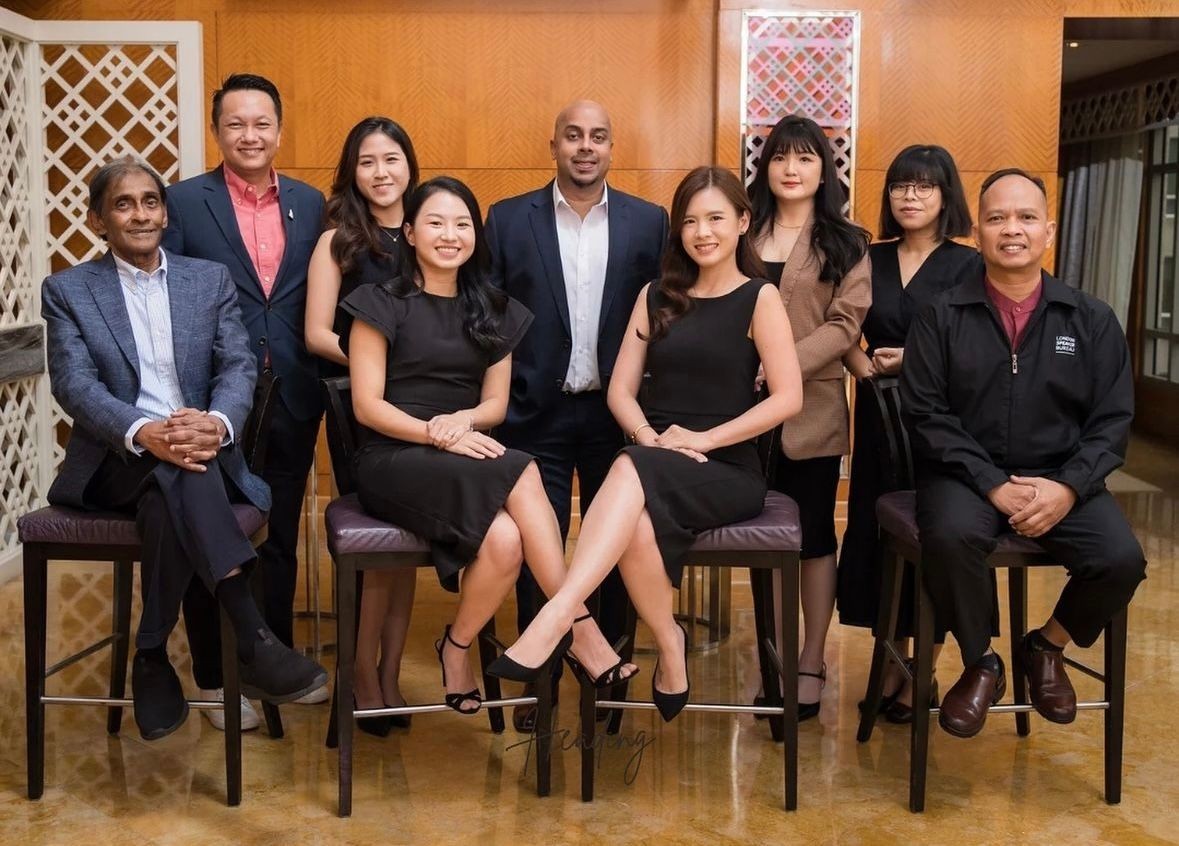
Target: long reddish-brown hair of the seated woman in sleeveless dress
[{"x": 677, "y": 270}]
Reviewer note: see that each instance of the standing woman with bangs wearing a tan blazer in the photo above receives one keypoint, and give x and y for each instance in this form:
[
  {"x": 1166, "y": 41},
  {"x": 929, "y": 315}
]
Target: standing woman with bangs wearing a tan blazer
[{"x": 821, "y": 261}]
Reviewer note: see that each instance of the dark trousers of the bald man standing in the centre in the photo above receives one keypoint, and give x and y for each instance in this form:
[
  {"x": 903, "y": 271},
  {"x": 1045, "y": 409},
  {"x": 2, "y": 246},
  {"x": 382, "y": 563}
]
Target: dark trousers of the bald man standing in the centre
[{"x": 581, "y": 435}]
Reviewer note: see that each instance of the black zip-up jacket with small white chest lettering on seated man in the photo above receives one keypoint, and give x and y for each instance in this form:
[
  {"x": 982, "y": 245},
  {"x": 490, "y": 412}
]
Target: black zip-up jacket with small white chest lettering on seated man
[{"x": 1058, "y": 407}]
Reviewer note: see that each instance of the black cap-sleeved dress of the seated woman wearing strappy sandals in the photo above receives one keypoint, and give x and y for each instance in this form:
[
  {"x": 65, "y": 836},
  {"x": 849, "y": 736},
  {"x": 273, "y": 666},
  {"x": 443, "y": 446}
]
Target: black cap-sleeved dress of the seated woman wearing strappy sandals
[{"x": 433, "y": 368}]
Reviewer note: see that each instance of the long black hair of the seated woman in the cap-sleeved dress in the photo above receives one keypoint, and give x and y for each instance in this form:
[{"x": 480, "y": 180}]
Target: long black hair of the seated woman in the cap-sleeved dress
[{"x": 483, "y": 303}]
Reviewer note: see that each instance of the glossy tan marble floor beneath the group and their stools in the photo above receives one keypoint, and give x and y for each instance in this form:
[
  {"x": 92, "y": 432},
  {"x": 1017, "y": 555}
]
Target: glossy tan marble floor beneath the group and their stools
[{"x": 703, "y": 779}]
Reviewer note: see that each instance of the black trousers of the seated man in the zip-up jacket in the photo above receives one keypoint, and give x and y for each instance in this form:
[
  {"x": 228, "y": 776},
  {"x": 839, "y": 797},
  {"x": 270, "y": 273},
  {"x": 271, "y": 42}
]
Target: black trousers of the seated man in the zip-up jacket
[{"x": 960, "y": 528}]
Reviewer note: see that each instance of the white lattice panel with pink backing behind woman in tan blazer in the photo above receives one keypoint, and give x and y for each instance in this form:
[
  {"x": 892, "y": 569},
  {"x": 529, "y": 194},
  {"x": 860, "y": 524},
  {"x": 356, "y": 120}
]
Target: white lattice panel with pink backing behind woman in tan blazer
[{"x": 800, "y": 64}]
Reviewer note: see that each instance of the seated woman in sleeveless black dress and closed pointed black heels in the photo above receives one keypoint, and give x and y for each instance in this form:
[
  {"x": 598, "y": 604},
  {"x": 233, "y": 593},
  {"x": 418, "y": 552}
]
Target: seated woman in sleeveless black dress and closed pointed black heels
[{"x": 700, "y": 333}]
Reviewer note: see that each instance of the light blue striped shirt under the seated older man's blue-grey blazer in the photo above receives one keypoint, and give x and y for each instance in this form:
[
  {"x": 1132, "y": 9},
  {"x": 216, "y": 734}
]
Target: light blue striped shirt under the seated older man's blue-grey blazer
[{"x": 146, "y": 296}]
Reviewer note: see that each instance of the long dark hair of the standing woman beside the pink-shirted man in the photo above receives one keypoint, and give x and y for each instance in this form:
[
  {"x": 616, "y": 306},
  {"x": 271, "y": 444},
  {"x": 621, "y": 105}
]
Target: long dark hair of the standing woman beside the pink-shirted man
[{"x": 347, "y": 210}]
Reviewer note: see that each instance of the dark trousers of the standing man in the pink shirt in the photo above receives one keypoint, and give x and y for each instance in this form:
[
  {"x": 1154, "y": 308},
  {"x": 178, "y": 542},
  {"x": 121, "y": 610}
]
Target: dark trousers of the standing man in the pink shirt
[{"x": 291, "y": 450}]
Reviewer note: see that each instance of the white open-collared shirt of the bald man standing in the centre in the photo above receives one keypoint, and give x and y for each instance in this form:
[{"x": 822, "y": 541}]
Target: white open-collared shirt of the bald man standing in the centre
[{"x": 585, "y": 248}]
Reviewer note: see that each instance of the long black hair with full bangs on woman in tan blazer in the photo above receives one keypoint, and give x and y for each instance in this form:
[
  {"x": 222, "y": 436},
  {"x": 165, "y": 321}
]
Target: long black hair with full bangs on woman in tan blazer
[{"x": 835, "y": 240}]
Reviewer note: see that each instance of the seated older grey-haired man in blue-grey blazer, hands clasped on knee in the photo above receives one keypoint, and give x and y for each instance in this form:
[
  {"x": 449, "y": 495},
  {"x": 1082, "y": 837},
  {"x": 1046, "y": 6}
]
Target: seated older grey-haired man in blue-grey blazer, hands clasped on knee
[{"x": 148, "y": 354}]
